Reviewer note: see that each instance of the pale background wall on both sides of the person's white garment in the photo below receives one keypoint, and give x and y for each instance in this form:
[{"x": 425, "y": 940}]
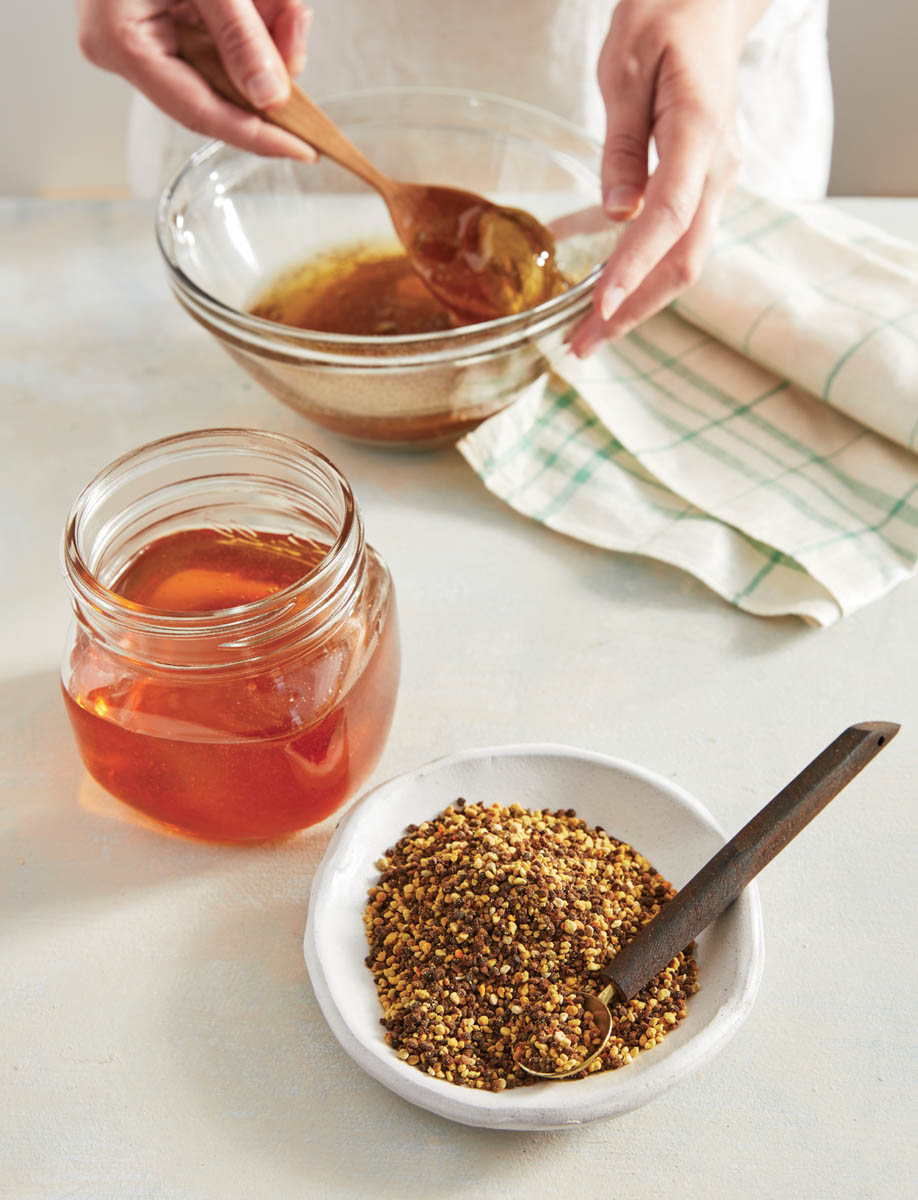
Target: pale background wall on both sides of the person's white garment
[{"x": 64, "y": 129}]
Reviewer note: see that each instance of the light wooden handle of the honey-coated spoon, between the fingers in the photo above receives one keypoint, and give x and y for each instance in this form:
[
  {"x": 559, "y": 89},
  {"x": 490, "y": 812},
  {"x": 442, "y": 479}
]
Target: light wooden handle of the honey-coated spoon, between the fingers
[{"x": 298, "y": 115}]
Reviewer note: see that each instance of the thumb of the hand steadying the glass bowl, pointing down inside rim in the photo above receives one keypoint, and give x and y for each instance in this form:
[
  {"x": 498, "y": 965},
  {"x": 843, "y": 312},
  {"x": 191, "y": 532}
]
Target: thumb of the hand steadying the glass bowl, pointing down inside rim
[{"x": 629, "y": 106}]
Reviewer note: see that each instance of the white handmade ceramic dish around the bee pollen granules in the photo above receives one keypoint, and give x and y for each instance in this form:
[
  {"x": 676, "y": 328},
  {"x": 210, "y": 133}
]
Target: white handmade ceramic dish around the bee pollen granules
[{"x": 664, "y": 823}]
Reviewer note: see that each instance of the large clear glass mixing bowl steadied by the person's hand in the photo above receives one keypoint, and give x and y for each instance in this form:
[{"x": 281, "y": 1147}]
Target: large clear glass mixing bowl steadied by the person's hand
[{"x": 231, "y": 224}]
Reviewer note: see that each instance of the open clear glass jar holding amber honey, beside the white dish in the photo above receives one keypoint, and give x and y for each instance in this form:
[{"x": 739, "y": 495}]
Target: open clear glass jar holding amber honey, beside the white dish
[{"x": 230, "y": 723}]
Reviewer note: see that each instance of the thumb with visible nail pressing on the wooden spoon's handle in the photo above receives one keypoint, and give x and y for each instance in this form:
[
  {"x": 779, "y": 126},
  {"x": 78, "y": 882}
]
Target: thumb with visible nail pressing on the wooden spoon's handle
[{"x": 248, "y": 51}]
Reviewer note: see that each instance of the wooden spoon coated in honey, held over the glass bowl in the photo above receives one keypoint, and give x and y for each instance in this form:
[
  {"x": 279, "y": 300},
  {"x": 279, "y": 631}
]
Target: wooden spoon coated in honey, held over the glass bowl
[{"x": 482, "y": 260}]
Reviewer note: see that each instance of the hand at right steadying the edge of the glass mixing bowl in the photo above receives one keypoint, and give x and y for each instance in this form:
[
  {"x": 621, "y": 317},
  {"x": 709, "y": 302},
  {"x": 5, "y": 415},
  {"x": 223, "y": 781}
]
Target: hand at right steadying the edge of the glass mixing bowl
[{"x": 668, "y": 71}]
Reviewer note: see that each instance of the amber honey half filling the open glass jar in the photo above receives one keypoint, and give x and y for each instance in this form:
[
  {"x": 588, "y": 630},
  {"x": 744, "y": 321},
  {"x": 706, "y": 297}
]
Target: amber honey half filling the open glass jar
[{"x": 260, "y": 729}]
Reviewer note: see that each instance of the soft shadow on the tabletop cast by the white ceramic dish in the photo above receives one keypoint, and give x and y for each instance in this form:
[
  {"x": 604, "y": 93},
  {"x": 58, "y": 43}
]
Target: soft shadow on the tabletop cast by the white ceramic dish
[{"x": 284, "y": 1090}]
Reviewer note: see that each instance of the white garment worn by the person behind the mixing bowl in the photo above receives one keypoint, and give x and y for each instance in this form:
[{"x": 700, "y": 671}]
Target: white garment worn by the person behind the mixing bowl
[{"x": 545, "y": 52}]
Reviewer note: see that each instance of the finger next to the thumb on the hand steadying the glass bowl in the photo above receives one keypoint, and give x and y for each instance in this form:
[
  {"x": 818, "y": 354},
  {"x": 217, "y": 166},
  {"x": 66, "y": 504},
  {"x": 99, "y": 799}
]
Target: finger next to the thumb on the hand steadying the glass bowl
[{"x": 686, "y": 141}]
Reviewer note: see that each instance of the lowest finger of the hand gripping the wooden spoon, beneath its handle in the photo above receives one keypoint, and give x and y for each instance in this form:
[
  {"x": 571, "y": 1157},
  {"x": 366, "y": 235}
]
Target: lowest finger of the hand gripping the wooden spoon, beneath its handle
[{"x": 182, "y": 93}]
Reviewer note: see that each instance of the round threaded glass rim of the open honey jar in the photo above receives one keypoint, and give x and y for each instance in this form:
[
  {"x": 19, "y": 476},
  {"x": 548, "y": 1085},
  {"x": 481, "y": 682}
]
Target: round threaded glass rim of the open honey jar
[{"x": 253, "y": 621}]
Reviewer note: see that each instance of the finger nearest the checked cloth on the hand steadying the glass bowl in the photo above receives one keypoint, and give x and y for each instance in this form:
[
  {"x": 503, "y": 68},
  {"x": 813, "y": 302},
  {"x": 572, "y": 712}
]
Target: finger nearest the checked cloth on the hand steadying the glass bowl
[{"x": 676, "y": 272}]
